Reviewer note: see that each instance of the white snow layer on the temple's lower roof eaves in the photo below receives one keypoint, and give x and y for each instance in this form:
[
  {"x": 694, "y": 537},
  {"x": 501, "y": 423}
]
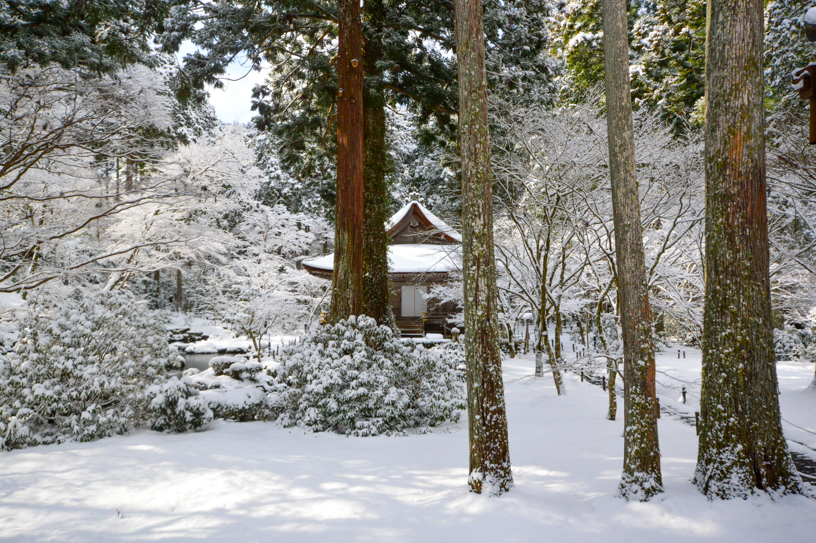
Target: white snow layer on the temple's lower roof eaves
[{"x": 407, "y": 258}]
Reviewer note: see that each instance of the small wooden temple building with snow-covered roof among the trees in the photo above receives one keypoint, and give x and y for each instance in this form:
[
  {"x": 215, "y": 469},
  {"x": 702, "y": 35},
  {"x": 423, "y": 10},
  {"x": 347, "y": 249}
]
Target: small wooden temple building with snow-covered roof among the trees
[{"x": 424, "y": 251}]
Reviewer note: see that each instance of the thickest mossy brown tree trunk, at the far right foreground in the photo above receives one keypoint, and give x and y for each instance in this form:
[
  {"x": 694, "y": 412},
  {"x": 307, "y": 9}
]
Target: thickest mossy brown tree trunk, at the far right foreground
[{"x": 741, "y": 443}]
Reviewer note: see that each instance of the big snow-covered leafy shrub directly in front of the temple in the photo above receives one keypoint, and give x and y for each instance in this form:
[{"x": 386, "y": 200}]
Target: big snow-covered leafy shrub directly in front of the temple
[{"x": 357, "y": 378}]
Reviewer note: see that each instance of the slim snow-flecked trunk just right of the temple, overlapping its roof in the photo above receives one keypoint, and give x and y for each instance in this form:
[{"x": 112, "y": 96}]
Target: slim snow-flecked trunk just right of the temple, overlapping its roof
[{"x": 487, "y": 418}]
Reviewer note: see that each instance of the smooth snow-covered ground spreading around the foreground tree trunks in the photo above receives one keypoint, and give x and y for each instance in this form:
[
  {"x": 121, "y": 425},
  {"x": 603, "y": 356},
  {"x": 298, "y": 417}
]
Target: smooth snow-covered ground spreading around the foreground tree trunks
[{"x": 258, "y": 482}]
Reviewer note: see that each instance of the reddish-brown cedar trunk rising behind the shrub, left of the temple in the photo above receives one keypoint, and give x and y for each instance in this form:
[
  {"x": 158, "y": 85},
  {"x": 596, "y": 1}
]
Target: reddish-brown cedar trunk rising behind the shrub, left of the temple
[{"x": 347, "y": 281}]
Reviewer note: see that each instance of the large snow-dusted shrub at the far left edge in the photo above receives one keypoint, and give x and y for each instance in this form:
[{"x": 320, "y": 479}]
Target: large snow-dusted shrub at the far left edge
[{"x": 79, "y": 368}]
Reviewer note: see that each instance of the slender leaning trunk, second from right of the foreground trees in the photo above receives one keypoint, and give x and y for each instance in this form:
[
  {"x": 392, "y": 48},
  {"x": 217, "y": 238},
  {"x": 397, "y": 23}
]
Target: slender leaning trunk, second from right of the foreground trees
[{"x": 641, "y": 477}]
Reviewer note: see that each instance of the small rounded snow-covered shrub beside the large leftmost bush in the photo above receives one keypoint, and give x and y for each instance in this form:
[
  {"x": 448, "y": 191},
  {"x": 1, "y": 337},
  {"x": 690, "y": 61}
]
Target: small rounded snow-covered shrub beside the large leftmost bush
[{"x": 176, "y": 406}]
